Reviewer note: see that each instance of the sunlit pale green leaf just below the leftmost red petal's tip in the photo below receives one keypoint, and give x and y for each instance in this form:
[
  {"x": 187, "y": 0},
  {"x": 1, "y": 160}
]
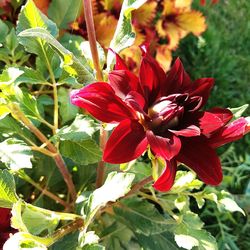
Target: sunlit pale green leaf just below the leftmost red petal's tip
[{"x": 81, "y": 129}]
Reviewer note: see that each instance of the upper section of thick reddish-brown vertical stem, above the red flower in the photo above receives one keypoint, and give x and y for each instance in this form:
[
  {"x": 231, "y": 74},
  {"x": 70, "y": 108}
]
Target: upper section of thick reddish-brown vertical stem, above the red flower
[{"x": 92, "y": 37}]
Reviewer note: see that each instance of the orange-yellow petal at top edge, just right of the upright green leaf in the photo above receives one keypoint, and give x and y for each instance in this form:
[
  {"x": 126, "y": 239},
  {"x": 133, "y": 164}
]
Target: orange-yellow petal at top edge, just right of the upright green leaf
[{"x": 145, "y": 14}]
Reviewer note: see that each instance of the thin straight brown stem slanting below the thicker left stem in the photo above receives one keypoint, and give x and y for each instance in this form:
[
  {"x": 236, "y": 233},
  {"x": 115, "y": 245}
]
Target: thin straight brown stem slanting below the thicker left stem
[{"x": 44, "y": 191}]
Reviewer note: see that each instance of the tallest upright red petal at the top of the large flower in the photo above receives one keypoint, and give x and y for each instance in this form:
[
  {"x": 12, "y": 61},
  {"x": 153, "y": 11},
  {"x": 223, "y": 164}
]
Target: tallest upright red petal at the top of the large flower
[{"x": 152, "y": 77}]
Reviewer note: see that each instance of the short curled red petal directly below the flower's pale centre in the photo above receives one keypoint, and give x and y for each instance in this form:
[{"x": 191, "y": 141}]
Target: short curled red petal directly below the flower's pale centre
[{"x": 167, "y": 148}]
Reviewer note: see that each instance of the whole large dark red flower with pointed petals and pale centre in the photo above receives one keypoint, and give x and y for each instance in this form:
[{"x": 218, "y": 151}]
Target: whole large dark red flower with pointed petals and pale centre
[{"x": 163, "y": 112}]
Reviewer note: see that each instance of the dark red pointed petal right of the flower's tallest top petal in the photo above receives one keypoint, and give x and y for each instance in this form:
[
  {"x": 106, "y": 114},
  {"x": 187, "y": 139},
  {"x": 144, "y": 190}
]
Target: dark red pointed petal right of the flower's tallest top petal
[{"x": 177, "y": 79}]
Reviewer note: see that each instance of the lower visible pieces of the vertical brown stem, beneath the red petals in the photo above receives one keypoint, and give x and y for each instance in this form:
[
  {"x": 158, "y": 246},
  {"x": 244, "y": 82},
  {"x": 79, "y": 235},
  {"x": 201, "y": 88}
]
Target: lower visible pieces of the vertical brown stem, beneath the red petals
[{"x": 101, "y": 165}]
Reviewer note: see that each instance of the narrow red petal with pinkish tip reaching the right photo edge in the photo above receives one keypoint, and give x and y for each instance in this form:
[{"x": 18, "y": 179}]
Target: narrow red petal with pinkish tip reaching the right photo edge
[{"x": 231, "y": 132}]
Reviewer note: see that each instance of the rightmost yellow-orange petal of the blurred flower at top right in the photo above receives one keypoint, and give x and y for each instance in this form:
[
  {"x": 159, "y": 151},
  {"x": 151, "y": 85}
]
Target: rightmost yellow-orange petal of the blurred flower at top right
[{"x": 192, "y": 21}]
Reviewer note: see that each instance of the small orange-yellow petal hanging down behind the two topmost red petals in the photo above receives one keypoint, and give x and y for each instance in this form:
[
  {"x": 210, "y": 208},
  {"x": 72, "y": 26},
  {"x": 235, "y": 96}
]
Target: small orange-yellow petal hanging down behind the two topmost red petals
[{"x": 164, "y": 57}]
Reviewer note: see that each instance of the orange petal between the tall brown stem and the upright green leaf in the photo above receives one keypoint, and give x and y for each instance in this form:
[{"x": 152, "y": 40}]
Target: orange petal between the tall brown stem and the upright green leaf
[{"x": 105, "y": 26}]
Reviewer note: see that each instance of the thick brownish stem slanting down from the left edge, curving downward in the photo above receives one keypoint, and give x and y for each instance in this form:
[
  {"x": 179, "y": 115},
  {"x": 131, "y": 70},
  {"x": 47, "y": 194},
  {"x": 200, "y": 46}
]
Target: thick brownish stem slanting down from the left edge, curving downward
[{"x": 56, "y": 155}]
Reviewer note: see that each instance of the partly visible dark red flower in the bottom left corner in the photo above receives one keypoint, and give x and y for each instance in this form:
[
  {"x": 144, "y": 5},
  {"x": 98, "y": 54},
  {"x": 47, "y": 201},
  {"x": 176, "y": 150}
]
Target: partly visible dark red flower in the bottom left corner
[{"x": 5, "y": 228}]
